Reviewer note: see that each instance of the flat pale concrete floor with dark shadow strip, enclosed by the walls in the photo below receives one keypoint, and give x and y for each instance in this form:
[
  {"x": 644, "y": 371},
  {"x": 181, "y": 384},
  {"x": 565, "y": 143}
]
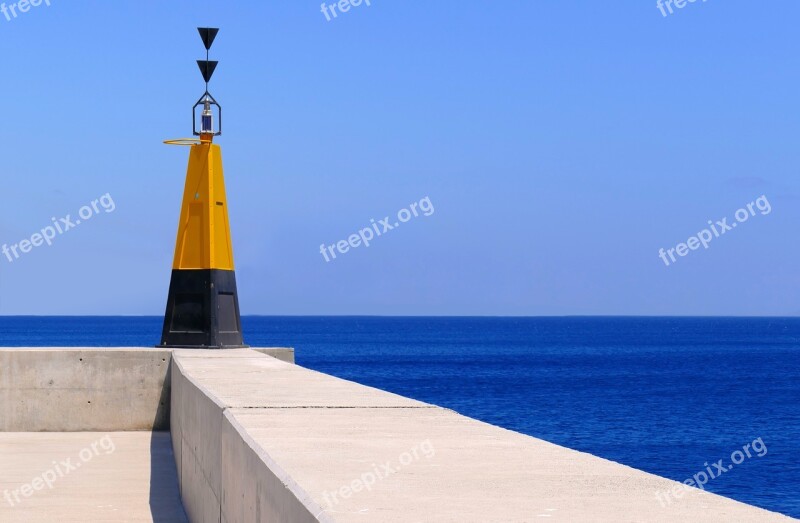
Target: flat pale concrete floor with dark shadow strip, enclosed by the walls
[{"x": 96, "y": 477}]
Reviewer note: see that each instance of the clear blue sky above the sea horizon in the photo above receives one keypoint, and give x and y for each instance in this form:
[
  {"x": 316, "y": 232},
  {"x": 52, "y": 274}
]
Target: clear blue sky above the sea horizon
[{"x": 562, "y": 144}]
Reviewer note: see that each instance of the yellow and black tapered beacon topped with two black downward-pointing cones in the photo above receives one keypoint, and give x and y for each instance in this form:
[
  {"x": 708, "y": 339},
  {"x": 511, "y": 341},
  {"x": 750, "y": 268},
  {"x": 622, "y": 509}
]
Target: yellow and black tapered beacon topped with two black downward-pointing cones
[{"x": 203, "y": 305}]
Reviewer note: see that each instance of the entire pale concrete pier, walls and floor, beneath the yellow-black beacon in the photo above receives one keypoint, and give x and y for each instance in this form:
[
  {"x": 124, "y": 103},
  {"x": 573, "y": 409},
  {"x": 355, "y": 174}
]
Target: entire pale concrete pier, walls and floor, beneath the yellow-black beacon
[{"x": 258, "y": 439}]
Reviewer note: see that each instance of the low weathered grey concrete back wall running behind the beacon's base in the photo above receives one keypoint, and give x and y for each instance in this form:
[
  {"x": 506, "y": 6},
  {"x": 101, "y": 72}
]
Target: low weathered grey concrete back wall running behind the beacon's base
[{"x": 67, "y": 389}]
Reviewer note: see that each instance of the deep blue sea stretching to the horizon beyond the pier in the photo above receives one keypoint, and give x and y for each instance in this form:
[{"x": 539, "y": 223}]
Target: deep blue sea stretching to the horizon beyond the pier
[{"x": 665, "y": 395}]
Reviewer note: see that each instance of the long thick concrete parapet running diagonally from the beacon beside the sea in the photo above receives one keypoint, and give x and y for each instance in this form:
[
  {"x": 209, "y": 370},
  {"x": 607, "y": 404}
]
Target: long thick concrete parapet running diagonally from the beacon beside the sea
[{"x": 260, "y": 440}]
